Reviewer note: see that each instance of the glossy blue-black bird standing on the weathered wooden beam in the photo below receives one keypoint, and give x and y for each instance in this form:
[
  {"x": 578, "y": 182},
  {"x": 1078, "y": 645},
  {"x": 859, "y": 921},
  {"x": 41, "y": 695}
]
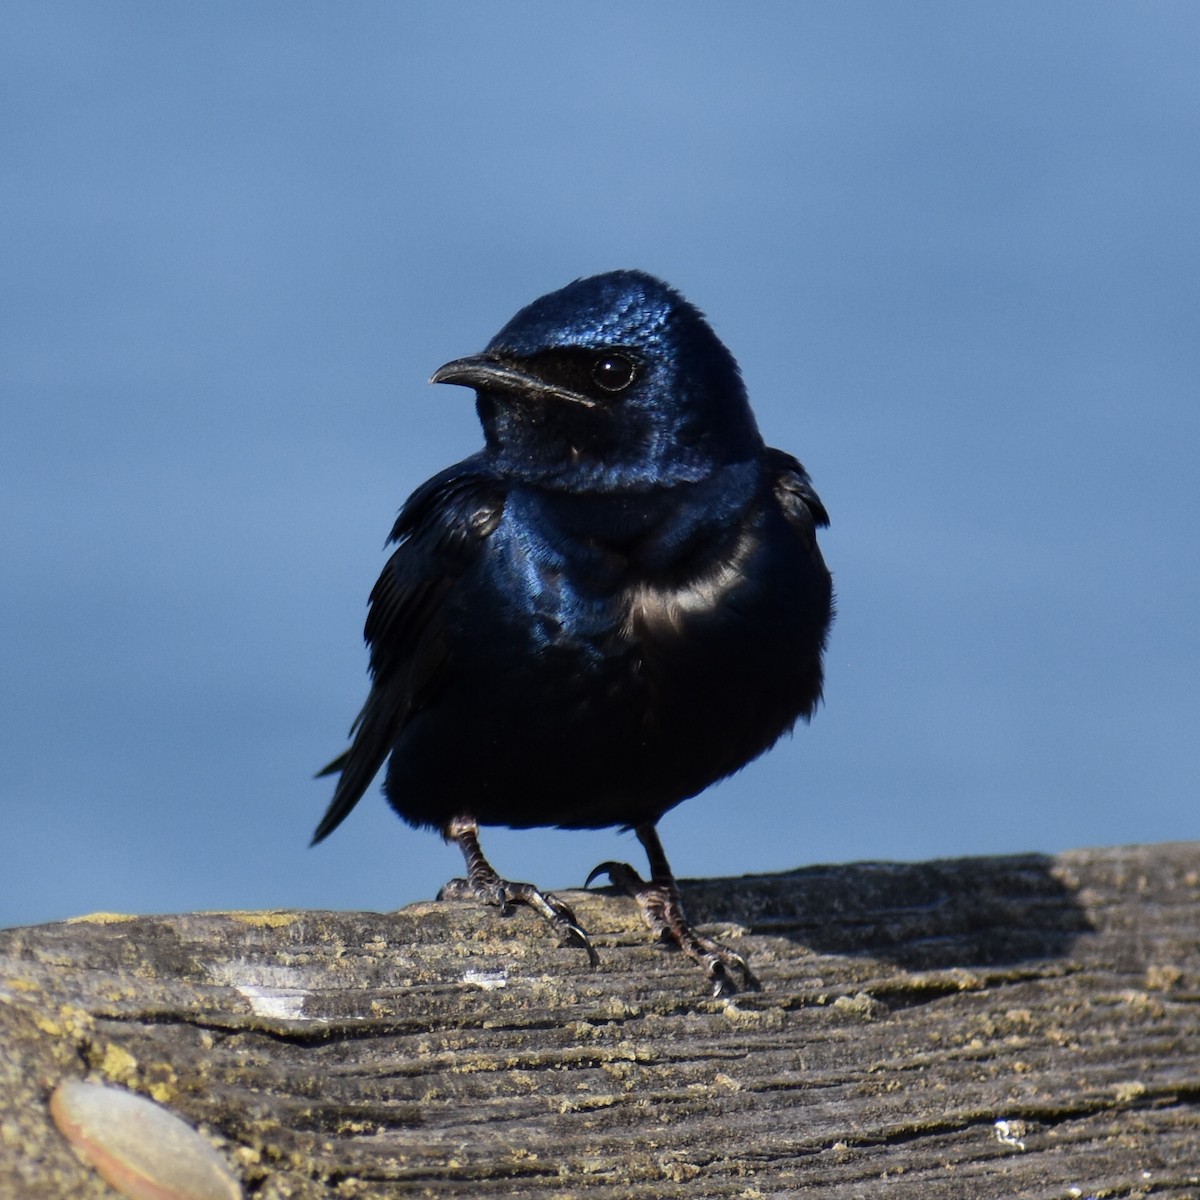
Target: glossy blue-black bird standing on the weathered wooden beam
[{"x": 614, "y": 604}]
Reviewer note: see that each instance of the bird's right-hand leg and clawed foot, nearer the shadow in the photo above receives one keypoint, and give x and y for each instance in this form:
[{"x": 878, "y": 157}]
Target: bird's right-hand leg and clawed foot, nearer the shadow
[{"x": 662, "y": 908}]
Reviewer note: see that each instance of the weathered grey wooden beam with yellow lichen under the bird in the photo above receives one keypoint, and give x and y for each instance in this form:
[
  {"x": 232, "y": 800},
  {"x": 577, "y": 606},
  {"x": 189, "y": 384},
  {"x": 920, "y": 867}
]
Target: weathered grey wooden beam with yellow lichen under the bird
[{"x": 446, "y": 1051}]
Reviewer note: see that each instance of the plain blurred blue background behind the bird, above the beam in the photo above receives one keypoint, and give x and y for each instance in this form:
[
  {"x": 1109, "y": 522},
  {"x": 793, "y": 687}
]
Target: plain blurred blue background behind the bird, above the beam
[{"x": 953, "y": 247}]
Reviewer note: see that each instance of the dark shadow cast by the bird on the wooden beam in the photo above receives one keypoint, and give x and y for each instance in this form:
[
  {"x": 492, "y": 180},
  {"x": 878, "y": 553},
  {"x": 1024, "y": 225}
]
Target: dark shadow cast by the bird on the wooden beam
[{"x": 921, "y": 916}]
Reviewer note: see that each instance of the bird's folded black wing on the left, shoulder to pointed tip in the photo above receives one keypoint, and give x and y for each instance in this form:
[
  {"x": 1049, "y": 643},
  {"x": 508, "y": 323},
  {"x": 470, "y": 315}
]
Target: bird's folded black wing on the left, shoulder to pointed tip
[{"x": 440, "y": 532}]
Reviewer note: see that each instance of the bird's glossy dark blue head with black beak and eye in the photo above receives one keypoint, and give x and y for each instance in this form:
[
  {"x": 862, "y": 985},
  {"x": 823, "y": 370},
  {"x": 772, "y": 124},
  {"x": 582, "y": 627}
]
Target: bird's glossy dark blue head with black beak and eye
[{"x": 611, "y": 383}]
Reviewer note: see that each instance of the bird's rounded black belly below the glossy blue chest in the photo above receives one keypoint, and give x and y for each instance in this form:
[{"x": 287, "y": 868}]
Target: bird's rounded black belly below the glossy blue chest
[{"x": 609, "y": 723}]
